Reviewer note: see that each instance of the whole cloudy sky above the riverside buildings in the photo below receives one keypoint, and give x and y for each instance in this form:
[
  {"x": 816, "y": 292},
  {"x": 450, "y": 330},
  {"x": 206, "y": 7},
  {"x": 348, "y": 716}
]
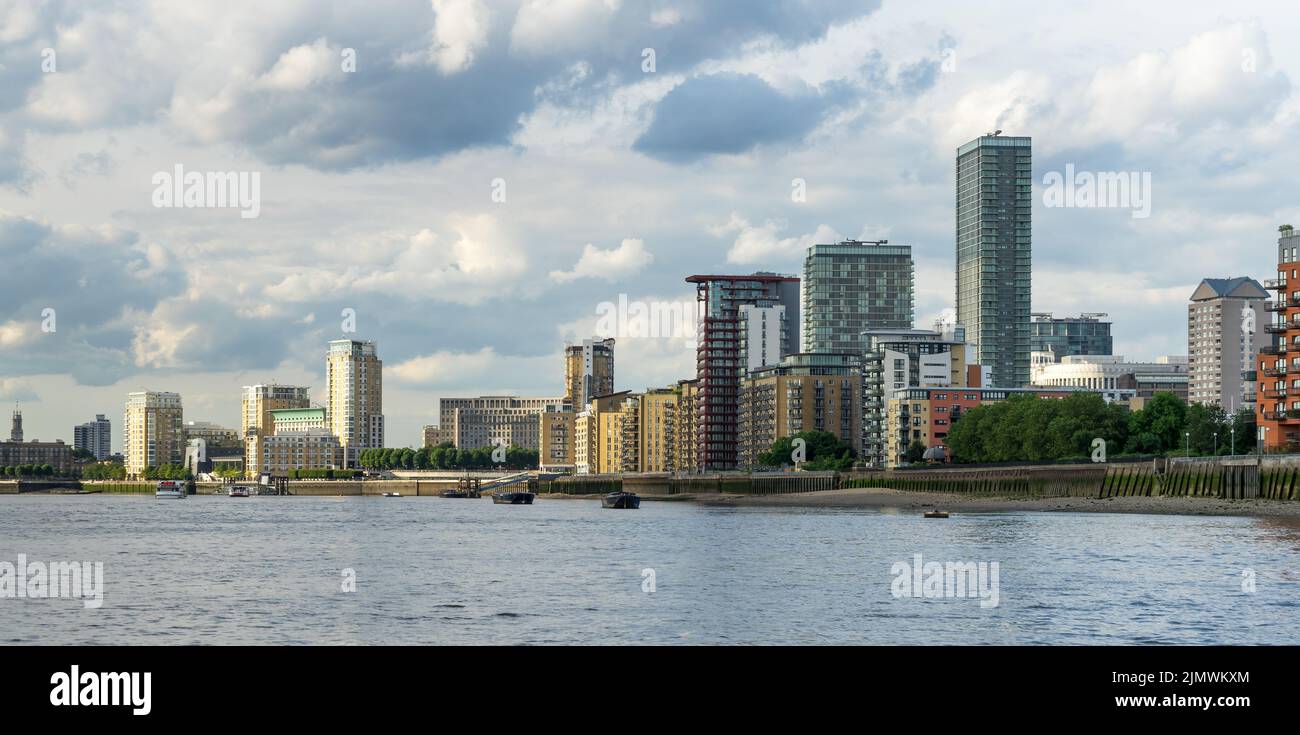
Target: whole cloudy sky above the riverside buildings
[{"x": 475, "y": 178}]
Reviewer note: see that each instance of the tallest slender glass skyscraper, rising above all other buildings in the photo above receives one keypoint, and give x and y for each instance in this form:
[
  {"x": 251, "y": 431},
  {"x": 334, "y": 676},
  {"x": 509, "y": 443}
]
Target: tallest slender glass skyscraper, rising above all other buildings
[{"x": 994, "y": 254}]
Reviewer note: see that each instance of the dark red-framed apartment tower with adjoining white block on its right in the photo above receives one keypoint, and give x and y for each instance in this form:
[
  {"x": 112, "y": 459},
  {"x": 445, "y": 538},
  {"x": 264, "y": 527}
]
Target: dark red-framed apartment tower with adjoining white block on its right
[{"x": 734, "y": 341}]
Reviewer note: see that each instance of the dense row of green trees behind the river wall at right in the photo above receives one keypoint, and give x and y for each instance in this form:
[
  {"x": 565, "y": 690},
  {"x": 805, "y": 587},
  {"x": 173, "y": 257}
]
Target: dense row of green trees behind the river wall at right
[{"x": 1028, "y": 429}]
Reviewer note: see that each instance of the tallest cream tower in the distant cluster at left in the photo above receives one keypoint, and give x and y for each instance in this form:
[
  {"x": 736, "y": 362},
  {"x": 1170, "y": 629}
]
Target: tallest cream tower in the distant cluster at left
[{"x": 356, "y": 386}]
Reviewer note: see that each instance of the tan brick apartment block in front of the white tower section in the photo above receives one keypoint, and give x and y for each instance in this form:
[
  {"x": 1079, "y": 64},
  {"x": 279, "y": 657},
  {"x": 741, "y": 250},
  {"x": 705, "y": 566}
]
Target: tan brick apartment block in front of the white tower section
[{"x": 807, "y": 392}]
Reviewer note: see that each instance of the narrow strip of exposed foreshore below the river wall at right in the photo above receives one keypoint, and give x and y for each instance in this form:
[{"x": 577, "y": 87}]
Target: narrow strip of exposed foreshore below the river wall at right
[{"x": 921, "y": 503}]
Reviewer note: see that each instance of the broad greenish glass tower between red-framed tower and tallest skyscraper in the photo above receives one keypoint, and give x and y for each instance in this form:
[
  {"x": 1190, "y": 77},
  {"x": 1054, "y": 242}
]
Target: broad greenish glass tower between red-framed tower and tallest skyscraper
[{"x": 853, "y": 287}]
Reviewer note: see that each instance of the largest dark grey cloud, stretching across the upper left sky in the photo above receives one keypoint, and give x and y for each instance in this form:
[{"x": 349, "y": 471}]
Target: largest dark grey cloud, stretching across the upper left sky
[{"x": 391, "y": 111}]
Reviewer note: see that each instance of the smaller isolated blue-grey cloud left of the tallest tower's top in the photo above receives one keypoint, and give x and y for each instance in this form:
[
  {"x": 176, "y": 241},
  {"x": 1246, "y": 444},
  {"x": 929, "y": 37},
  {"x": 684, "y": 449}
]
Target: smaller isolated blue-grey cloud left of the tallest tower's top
[{"x": 727, "y": 114}]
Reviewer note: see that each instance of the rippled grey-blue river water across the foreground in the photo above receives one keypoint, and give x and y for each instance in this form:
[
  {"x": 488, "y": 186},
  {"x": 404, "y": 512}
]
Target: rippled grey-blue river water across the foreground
[{"x": 215, "y": 570}]
